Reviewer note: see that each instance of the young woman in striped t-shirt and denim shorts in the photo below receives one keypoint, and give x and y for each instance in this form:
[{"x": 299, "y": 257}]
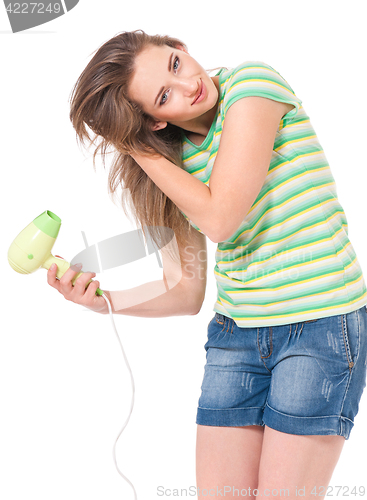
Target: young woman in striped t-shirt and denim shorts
[{"x": 235, "y": 157}]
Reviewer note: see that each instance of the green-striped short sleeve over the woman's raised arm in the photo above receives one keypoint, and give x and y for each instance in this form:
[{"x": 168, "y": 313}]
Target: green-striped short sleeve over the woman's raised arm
[{"x": 255, "y": 78}]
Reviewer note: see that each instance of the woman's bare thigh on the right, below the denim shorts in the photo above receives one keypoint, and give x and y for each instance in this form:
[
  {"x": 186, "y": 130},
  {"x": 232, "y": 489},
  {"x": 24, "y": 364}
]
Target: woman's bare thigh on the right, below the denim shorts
[{"x": 295, "y": 462}]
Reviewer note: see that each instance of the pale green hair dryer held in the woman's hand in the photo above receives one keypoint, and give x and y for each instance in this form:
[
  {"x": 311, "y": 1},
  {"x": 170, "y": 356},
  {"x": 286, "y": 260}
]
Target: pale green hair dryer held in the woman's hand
[{"x": 32, "y": 248}]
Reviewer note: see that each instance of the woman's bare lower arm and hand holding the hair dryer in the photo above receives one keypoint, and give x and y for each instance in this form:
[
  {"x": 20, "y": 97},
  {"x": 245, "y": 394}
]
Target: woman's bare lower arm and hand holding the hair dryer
[{"x": 180, "y": 292}]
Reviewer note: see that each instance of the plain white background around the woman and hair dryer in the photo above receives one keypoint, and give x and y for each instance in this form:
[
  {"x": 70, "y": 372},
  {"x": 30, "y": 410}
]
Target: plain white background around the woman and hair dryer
[{"x": 64, "y": 388}]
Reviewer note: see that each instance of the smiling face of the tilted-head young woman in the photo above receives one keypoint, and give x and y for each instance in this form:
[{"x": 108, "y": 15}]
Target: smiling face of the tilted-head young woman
[{"x": 172, "y": 87}]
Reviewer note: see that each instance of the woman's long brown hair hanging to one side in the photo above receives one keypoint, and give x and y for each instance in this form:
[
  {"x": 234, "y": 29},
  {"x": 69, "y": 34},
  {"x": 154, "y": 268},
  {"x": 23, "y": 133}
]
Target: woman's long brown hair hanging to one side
[{"x": 100, "y": 104}]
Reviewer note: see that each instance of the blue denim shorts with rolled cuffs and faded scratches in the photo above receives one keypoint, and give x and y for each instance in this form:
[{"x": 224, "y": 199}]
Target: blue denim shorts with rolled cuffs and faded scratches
[{"x": 300, "y": 378}]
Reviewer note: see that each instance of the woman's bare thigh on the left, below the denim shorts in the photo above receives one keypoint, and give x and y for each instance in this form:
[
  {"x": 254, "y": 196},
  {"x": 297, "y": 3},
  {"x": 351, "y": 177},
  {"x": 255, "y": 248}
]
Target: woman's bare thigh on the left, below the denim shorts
[{"x": 227, "y": 456}]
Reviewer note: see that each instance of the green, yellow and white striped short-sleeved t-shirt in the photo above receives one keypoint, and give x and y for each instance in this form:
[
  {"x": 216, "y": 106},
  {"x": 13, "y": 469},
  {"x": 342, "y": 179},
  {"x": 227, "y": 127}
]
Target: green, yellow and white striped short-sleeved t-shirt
[{"x": 291, "y": 259}]
